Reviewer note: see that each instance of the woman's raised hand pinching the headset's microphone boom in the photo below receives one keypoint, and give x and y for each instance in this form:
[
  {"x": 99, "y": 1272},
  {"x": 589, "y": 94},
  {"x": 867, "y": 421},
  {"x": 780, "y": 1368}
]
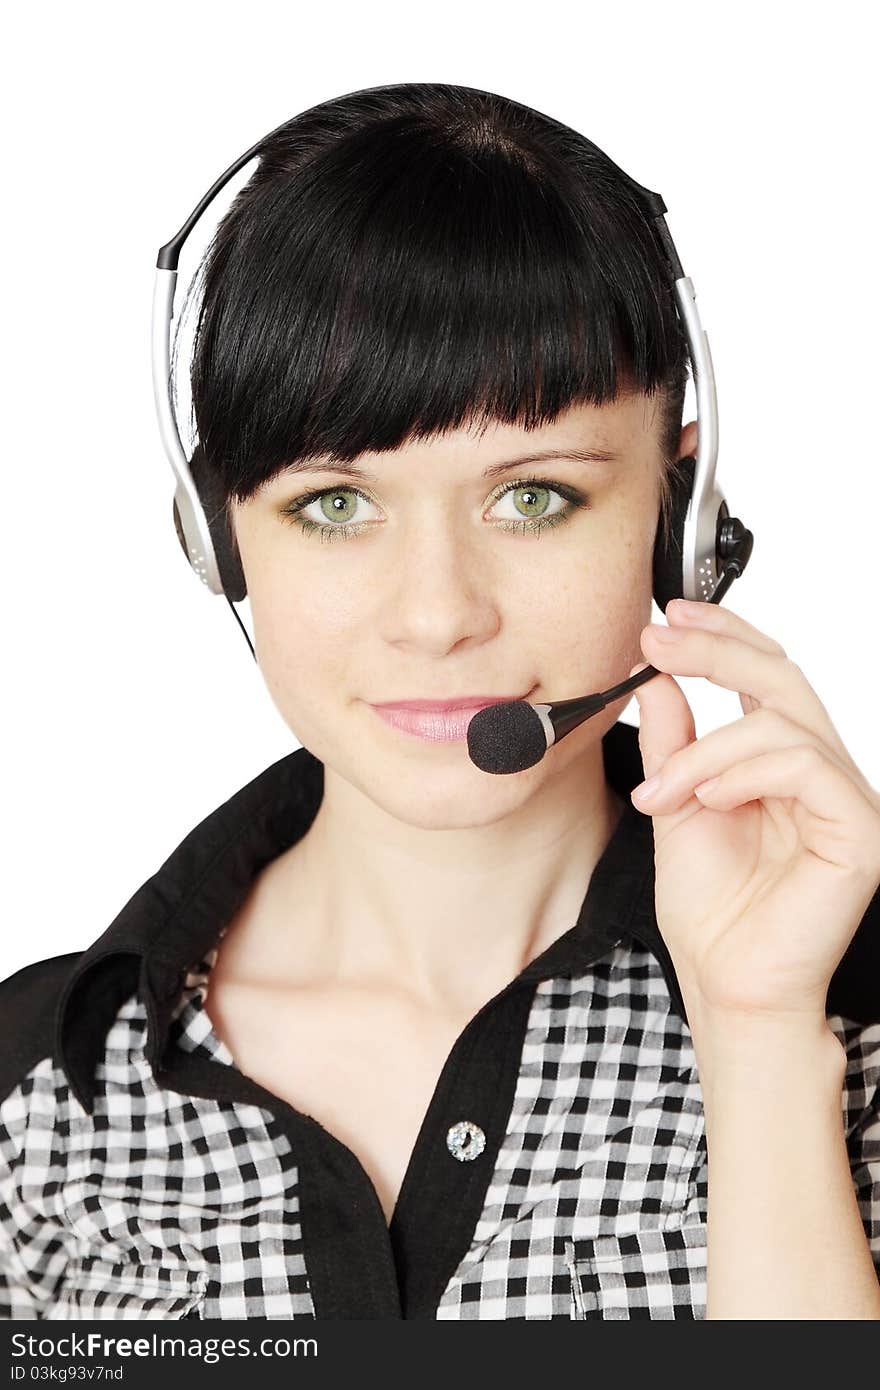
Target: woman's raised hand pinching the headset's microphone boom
[{"x": 761, "y": 878}]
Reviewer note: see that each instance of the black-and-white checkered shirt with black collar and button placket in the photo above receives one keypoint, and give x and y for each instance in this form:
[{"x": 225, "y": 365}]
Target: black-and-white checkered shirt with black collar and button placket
[{"x": 560, "y": 1172}]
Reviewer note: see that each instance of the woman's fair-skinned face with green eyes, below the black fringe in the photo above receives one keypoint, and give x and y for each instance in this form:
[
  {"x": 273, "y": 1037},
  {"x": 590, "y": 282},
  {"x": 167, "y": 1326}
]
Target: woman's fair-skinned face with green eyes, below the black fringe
[{"x": 453, "y": 568}]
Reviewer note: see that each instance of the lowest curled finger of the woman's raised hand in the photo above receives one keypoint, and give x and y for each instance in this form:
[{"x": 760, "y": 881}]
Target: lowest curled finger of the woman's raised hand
[{"x": 840, "y": 826}]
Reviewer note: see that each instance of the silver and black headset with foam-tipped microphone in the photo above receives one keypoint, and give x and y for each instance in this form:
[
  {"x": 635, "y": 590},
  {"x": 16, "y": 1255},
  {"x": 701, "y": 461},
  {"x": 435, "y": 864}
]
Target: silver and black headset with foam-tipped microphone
[{"x": 704, "y": 551}]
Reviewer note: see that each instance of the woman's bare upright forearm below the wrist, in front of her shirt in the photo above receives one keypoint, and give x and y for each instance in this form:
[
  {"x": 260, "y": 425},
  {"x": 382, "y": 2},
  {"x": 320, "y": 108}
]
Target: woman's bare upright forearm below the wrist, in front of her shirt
[{"x": 785, "y": 1234}]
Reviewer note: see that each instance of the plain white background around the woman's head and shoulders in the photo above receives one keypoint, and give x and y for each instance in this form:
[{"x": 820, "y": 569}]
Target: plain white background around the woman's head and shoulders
[{"x": 133, "y": 707}]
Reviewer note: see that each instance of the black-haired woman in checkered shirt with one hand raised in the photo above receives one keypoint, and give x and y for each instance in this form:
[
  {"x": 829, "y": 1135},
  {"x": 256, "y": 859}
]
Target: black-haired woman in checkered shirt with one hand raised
[{"x": 391, "y": 1038}]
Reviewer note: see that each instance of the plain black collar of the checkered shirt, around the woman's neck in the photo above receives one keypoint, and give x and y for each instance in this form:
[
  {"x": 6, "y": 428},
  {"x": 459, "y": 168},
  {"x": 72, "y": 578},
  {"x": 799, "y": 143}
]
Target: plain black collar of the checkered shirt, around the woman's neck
[{"x": 176, "y": 917}]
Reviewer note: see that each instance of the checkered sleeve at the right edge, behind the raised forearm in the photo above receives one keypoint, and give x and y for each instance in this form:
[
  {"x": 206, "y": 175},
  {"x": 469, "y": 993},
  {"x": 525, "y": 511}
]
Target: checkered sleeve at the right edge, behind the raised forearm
[{"x": 861, "y": 1102}]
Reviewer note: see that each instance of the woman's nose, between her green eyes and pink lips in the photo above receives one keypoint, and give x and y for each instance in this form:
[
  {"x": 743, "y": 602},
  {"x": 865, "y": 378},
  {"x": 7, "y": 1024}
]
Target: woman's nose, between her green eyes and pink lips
[{"x": 441, "y": 593}]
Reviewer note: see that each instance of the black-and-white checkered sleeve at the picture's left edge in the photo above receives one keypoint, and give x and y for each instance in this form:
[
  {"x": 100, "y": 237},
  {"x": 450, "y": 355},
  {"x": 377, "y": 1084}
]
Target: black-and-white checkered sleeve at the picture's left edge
[{"x": 33, "y": 1254}]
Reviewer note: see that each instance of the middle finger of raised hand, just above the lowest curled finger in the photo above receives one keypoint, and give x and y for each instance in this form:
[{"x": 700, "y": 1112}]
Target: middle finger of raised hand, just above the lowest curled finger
[{"x": 758, "y": 733}]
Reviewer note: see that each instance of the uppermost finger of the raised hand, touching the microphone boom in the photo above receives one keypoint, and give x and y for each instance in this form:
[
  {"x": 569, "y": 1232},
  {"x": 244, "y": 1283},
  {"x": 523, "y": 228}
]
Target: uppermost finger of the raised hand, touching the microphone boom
[{"x": 738, "y": 664}]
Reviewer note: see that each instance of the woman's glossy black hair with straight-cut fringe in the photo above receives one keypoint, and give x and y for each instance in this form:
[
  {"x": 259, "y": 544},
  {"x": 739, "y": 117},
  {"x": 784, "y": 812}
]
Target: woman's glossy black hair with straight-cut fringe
[{"x": 416, "y": 258}]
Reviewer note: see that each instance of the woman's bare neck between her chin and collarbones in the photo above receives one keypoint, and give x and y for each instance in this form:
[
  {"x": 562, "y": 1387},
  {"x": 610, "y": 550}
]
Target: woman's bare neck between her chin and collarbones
[{"x": 444, "y": 917}]
